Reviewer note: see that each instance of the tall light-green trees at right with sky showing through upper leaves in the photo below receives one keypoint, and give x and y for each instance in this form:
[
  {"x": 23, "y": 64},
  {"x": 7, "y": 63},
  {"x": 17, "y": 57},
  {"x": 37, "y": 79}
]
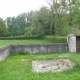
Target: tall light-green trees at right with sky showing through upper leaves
[{"x": 65, "y": 15}]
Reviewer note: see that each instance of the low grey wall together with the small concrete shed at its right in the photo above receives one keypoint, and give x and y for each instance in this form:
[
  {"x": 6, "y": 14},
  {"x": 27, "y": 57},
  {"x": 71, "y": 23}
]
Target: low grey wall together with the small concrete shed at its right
[{"x": 72, "y": 45}]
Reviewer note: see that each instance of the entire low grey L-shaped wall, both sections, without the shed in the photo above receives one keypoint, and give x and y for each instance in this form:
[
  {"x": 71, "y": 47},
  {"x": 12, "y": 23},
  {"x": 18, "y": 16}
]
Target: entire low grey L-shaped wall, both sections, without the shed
[{"x": 32, "y": 48}]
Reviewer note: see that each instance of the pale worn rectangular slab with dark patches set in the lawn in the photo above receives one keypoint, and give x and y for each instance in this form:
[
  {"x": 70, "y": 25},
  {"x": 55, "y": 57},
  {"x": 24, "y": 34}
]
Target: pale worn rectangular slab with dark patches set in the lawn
[{"x": 51, "y": 65}]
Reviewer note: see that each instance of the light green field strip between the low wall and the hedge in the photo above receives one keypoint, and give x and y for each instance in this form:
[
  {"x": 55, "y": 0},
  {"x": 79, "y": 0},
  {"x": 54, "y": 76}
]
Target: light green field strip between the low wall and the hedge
[{"x": 5, "y": 42}]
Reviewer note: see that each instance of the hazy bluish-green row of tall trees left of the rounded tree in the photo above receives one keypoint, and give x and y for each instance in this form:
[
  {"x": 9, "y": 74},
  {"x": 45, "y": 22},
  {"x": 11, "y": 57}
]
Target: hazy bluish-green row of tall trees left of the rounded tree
[{"x": 16, "y": 25}]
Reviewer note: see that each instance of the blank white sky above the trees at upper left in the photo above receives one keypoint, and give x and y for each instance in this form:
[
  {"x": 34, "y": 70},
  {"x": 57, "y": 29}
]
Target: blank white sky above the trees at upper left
[{"x": 9, "y": 8}]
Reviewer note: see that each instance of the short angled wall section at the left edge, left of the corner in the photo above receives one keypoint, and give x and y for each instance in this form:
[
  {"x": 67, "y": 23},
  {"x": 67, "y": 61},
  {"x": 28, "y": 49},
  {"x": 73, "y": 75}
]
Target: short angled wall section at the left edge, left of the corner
[{"x": 4, "y": 52}]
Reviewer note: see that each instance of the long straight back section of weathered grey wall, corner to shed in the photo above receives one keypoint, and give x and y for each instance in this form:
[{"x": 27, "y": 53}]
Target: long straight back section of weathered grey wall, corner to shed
[{"x": 33, "y": 48}]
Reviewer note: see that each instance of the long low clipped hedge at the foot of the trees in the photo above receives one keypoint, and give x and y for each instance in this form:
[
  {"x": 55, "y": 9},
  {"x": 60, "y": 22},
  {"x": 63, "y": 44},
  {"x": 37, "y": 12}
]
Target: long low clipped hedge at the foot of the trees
[{"x": 52, "y": 39}]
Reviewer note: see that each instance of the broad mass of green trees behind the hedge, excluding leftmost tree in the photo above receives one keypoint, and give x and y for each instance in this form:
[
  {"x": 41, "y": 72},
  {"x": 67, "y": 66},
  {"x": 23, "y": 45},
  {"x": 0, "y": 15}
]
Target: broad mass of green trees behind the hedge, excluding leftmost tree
[{"x": 62, "y": 18}]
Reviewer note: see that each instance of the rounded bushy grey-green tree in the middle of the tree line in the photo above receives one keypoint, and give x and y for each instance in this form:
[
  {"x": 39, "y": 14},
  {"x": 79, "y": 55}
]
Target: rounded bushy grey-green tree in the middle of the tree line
[{"x": 41, "y": 21}]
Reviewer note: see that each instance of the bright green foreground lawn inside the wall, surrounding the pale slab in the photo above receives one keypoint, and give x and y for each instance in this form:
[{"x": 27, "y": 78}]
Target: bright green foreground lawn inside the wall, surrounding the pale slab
[{"x": 19, "y": 67}]
